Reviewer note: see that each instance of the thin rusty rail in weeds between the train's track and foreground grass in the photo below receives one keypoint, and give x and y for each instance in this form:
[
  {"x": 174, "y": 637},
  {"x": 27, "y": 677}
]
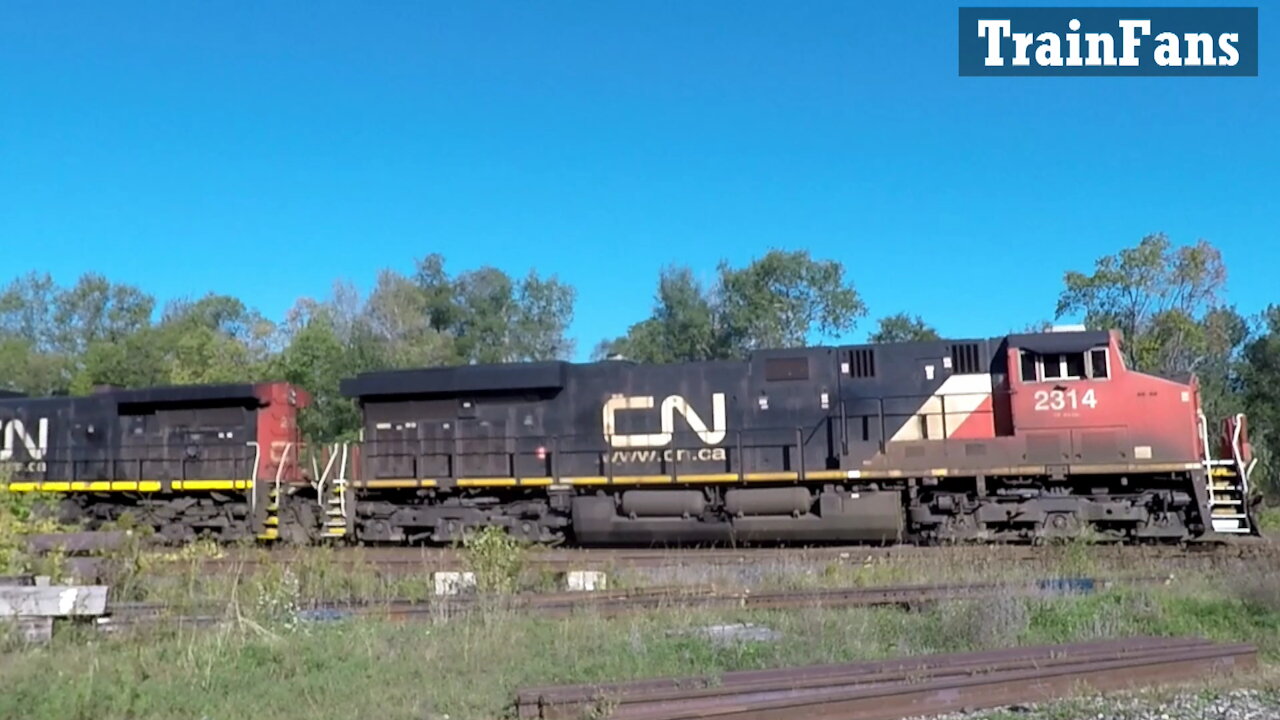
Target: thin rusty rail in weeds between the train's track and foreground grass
[{"x": 618, "y": 603}]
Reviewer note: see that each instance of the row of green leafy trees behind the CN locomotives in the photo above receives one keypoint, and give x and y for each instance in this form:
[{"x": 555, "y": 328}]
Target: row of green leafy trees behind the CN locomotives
[{"x": 1169, "y": 302}]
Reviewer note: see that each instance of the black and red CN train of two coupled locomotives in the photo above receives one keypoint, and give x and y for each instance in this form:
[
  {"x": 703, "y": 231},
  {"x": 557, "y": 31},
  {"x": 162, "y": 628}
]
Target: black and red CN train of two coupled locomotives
[{"x": 1017, "y": 439}]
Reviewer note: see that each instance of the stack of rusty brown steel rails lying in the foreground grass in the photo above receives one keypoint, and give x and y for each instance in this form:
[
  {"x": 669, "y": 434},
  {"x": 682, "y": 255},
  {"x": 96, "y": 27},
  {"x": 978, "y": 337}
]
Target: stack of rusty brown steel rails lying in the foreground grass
[{"x": 897, "y": 689}]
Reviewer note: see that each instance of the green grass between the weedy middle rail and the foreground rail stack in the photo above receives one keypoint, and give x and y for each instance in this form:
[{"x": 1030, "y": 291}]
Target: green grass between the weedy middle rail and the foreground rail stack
[{"x": 268, "y": 664}]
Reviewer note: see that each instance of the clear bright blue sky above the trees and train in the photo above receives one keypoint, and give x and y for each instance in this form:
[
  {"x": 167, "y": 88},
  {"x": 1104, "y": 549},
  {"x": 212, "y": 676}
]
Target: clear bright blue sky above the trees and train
[{"x": 267, "y": 149}]
